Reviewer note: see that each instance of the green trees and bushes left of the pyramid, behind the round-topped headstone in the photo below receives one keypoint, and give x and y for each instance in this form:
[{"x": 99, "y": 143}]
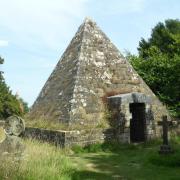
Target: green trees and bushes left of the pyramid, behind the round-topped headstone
[{"x": 9, "y": 103}]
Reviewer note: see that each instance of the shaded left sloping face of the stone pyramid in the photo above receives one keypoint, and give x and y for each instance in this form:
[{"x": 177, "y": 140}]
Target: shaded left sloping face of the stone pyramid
[{"x": 53, "y": 102}]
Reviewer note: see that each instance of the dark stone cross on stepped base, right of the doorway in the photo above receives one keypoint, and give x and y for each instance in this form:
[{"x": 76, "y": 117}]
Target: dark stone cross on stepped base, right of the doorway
[{"x": 165, "y": 148}]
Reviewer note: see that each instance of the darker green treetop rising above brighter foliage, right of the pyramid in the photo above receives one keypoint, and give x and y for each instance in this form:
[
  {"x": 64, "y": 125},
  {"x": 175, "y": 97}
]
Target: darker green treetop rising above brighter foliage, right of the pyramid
[{"x": 165, "y": 37}]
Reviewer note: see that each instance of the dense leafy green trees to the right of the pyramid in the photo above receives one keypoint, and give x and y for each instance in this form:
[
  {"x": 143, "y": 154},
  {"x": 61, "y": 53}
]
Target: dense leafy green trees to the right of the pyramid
[{"x": 158, "y": 63}]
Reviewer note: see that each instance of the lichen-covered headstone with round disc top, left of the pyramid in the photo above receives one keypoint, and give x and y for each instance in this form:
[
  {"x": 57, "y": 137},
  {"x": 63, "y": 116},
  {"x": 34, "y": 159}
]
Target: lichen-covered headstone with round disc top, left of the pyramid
[{"x": 12, "y": 144}]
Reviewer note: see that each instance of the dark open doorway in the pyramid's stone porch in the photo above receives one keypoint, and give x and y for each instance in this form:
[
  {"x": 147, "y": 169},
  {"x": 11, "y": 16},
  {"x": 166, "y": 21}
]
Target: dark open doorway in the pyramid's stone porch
[{"x": 138, "y": 122}]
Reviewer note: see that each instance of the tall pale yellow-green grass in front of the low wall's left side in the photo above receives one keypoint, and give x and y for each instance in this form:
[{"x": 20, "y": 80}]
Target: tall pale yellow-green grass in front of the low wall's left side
[{"x": 40, "y": 161}]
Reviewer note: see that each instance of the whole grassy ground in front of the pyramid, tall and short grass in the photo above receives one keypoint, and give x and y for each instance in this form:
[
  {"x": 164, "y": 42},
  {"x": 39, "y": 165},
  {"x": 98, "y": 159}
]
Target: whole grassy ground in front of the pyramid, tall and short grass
[{"x": 107, "y": 161}]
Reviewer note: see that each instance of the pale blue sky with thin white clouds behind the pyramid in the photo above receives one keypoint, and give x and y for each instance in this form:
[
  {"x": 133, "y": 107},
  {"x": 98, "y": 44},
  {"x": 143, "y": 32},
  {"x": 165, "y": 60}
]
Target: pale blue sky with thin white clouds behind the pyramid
[{"x": 35, "y": 33}]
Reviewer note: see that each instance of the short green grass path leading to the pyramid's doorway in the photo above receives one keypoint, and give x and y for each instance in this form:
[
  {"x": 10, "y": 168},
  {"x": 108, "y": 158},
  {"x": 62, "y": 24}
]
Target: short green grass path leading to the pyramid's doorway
[{"x": 124, "y": 164}]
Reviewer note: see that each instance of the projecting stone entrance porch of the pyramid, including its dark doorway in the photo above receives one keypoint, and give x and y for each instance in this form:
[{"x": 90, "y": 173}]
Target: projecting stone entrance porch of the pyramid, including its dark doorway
[{"x": 132, "y": 117}]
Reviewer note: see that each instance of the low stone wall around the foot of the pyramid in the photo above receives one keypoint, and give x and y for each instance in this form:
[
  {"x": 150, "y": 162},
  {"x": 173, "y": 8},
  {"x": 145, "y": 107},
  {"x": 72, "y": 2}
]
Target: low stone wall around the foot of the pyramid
[{"x": 70, "y": 138}]
